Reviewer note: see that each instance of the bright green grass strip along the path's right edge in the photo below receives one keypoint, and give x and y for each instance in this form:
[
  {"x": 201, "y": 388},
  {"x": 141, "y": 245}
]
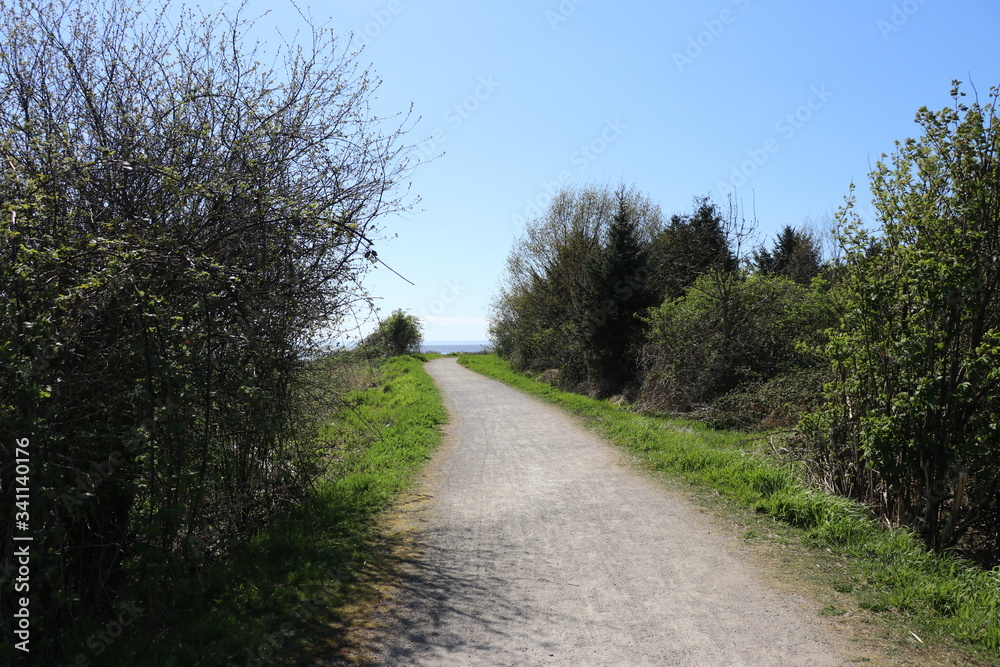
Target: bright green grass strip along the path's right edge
[{"x": 942, "y": 598}]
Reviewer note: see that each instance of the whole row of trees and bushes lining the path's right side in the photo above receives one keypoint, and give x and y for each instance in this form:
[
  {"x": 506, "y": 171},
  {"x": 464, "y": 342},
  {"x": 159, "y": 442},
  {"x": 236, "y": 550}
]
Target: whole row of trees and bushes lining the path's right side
[{"x": 878, "y": 361}]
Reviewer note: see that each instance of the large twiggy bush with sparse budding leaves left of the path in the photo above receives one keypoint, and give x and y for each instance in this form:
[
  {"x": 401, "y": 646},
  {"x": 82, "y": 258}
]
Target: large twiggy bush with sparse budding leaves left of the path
[{"x": 177, "y": 221}]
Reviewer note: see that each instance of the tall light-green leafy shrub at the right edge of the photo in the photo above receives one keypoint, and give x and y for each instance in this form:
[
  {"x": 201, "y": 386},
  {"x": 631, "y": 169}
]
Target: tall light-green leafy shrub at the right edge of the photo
[{"x": 917, "y": 353}]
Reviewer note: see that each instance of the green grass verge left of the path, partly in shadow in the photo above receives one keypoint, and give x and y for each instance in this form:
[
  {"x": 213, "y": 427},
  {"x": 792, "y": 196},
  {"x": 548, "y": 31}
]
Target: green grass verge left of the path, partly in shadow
[{"x": 292, "y": 594}]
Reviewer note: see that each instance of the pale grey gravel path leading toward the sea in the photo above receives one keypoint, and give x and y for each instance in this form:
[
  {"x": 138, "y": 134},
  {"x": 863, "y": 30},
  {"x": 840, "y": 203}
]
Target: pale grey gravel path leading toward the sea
[{"x": 541, "y": 547}]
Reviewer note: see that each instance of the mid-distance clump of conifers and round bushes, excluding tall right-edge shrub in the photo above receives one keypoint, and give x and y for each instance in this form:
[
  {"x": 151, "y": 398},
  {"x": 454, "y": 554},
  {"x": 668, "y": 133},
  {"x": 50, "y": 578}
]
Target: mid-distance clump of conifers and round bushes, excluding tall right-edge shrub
[{"x": 584, "y": 293}]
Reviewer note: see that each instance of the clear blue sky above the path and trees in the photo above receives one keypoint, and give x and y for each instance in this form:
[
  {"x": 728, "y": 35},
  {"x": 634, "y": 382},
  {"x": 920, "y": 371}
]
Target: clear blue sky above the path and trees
[{"x": 789, "y": 101}]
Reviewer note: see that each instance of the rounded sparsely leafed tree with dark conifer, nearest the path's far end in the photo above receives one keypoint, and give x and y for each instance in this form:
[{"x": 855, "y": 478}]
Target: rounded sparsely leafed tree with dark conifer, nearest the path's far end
[{"x": 571, "y": 280}]
